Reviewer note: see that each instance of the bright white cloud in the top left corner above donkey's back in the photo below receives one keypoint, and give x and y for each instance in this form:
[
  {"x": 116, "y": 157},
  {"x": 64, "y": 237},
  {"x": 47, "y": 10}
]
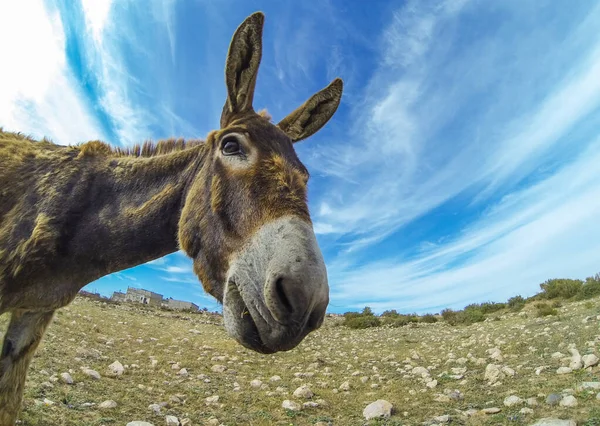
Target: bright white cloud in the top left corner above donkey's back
[{"x": 38, "y": 93}]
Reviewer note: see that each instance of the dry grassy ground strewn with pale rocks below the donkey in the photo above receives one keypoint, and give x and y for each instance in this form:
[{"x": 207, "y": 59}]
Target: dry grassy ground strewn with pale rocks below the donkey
[{"x": 105, "y": 364}]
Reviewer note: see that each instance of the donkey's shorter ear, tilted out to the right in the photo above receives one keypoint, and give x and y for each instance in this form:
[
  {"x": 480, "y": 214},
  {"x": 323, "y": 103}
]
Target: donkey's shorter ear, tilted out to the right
[{"x": 314, "y": 113}]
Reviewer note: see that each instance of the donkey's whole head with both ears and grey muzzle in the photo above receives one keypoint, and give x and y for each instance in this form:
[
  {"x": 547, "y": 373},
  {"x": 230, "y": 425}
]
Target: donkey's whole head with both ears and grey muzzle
[{"x": 245, "y": 221}]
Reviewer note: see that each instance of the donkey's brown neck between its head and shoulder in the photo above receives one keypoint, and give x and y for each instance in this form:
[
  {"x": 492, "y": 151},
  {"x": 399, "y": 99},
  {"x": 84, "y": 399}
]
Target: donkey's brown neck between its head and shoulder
[{"x": 136, "y": 208}]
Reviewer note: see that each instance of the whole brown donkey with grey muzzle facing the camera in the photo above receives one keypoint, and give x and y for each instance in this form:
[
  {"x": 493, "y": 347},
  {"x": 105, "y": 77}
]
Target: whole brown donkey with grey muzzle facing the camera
[{"x": 235, "y": 203}]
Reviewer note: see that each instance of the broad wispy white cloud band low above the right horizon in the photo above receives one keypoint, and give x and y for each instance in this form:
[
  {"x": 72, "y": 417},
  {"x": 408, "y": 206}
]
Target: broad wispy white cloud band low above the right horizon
[{"x": 548, "y": 230}]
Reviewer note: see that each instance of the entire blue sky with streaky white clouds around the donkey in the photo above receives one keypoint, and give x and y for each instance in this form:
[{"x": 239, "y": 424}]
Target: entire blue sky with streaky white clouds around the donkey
[{"x": 462, "y": 165}]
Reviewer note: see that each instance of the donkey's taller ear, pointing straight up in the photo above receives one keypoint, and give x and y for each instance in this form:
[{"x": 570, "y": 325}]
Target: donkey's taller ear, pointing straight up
[{"x": 243, "y": 59}]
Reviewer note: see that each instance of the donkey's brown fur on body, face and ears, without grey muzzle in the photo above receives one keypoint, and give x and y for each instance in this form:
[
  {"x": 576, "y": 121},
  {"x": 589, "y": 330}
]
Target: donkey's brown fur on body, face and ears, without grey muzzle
[{"x": 72, "y": 214}]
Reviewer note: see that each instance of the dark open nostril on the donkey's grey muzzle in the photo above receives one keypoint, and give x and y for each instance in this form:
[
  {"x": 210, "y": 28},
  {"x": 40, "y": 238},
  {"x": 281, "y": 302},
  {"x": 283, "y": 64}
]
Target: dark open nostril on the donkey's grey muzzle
[{"x": 287, "y": 298}]
